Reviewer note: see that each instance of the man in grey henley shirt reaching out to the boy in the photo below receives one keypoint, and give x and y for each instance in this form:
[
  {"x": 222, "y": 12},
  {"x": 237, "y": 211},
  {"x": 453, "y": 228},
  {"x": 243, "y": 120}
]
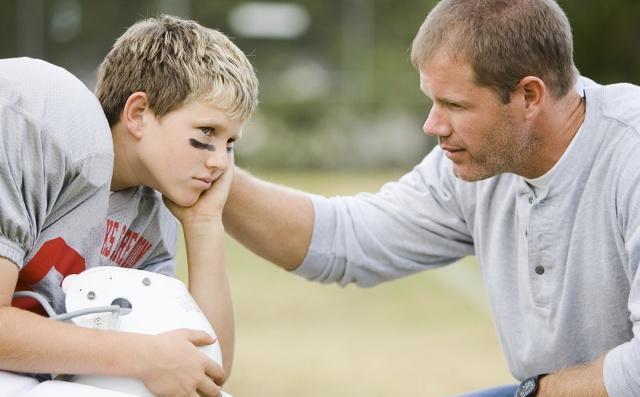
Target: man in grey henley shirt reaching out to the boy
[{"x": 536, "y": 174}]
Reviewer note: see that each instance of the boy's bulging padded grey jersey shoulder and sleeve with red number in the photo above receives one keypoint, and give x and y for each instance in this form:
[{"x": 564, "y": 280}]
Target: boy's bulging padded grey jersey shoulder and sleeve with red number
[{"x": 56, "y": 160}]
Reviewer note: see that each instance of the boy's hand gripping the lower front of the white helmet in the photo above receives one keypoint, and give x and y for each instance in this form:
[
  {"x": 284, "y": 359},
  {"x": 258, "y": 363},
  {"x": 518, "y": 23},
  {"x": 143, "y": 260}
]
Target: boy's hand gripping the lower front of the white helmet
[{"x": 176, "y": 368}]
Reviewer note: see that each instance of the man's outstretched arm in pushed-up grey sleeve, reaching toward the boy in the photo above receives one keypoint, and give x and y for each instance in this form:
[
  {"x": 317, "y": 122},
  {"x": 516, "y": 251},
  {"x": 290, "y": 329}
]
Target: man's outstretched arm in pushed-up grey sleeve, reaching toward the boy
[{"x": 408, "y": 226}]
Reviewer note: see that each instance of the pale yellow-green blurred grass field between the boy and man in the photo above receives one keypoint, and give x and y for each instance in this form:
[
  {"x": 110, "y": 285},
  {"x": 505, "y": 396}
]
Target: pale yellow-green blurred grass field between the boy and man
[{"x": 425, "y": 335}]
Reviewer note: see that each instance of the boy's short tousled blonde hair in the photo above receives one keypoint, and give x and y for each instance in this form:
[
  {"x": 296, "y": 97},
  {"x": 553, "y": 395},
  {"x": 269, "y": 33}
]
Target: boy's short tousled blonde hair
[{"x": 176, "y": 61}]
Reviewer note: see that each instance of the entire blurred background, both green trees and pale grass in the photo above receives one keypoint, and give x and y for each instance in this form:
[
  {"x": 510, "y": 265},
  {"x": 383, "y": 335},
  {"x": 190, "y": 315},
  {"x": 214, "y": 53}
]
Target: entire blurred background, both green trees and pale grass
[{"x": 340, "y": 112}]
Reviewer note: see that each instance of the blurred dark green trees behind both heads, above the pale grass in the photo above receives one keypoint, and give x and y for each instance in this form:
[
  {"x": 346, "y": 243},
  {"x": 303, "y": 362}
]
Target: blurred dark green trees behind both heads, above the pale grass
[{"x": 337, "y": 88}]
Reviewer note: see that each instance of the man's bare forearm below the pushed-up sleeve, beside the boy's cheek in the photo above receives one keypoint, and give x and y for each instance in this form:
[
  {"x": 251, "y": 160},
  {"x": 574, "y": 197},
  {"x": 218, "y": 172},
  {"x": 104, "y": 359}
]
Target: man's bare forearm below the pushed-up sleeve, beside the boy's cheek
[{"x": 273, "y": 221}]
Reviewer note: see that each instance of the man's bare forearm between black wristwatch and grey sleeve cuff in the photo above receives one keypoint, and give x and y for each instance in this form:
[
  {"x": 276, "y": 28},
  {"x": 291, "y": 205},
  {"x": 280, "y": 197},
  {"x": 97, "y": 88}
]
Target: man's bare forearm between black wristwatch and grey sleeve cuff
[{"x": 582, "y": 381}]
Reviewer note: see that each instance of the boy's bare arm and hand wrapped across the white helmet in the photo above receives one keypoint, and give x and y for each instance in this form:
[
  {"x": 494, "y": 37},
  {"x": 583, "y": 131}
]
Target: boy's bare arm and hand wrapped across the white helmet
[{"x": 168, "y": 363}]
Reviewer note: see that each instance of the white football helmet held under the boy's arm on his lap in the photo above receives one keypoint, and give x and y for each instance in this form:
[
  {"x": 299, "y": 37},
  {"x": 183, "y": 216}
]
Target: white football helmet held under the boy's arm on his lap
[{"x": 150, "y": 303}]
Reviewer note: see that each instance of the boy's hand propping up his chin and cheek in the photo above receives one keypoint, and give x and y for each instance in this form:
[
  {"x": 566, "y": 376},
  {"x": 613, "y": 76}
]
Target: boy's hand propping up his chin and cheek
[{"x": 210, "y": 204}]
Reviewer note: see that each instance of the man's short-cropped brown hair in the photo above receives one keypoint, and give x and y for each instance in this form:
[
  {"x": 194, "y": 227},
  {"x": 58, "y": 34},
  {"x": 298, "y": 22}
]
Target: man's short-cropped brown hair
[{"x": 503, "y": 40}]
